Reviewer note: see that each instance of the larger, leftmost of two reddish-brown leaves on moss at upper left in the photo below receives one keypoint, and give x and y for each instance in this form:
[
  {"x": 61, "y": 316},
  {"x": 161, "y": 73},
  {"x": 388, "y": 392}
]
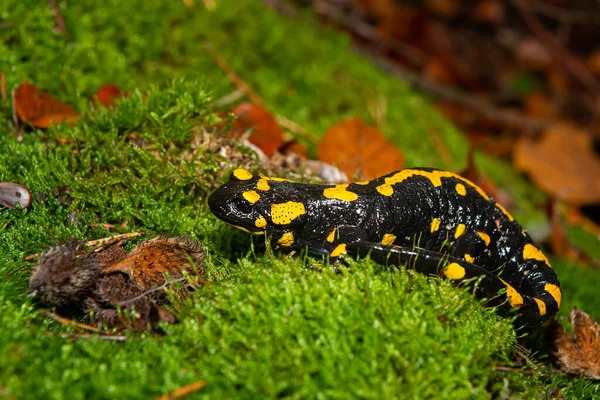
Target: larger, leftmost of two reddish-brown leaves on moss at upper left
[{"x": 40, "y": 109}]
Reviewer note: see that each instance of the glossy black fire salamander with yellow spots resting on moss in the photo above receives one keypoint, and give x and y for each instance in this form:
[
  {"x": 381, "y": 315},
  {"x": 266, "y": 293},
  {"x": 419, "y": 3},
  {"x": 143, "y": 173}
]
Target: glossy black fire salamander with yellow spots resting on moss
[{"x": 434, "y": 221}]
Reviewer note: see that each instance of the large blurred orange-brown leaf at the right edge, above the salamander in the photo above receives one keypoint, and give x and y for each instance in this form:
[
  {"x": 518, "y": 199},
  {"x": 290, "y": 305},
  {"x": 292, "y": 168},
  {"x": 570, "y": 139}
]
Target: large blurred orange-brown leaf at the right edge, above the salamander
[{"x": 562, "y": 163}]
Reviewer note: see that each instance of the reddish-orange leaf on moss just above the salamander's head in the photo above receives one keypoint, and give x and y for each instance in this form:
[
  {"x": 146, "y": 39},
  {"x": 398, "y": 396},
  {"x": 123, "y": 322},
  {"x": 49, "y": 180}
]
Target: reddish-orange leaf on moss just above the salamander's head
[{"x": 267, "y": 134}]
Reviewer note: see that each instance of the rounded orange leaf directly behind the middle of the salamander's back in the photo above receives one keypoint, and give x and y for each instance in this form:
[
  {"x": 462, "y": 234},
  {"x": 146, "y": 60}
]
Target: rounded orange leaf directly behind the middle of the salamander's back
[{"x": 353, "y": 145}]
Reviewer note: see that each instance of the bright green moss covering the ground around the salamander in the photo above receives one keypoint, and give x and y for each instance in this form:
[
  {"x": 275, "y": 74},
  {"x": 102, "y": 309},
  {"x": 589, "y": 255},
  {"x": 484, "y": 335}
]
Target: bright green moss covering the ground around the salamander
[{"x": 267, "y": 326}]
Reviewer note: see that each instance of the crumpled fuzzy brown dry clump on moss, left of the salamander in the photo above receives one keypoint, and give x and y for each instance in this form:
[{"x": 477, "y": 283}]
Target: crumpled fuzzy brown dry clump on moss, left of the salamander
[{"x": 119, "y": 289}]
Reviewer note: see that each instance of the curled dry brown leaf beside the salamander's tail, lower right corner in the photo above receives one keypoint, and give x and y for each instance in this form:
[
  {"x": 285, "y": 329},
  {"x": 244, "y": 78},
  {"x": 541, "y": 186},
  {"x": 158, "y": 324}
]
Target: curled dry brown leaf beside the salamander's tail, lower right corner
[{"x": 579, "y": 353}]
